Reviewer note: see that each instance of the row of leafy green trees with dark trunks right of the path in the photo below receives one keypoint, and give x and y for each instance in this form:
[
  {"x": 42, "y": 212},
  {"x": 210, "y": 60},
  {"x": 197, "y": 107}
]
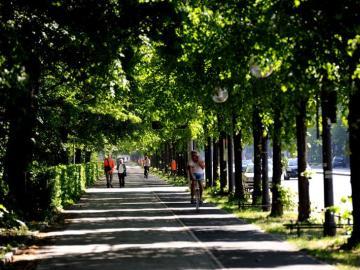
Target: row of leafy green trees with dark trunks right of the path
[{"x": 286, "y": 66}]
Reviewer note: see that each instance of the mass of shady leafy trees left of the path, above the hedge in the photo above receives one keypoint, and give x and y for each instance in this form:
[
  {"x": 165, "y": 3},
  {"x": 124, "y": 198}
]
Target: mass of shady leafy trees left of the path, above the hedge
[{"x": 65, "y": 76}]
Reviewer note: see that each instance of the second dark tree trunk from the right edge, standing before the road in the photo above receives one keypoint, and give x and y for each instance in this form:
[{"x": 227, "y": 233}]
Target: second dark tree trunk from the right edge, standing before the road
[{"x": 329, "y": 225}]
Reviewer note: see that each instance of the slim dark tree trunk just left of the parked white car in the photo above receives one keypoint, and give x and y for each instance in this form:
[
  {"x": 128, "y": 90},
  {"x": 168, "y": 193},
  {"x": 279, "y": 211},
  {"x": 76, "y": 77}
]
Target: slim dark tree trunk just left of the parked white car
[{"x": 239, "y": 187}]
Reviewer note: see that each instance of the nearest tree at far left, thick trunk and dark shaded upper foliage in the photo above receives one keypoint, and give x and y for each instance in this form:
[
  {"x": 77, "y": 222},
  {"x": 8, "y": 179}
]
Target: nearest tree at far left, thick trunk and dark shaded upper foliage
[{"x": 84, "y": 43}]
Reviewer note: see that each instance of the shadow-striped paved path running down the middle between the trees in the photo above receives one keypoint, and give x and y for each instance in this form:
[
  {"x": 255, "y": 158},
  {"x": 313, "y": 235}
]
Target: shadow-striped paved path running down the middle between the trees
[{"x": 151, "y": 225}]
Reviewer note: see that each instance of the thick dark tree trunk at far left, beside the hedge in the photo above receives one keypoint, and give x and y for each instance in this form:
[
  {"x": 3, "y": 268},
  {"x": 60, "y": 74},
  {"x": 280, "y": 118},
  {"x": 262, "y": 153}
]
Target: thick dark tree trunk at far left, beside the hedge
[{"x": 20, "y": 147}]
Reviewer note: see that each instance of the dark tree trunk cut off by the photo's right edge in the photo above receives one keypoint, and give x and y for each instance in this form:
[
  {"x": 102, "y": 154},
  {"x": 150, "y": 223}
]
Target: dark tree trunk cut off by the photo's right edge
[{"x": 354, "y": 141}]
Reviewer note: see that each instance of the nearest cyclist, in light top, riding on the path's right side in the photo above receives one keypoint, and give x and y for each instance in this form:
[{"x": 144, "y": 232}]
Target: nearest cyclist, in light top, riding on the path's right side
[{"x": 196, "y": 172}]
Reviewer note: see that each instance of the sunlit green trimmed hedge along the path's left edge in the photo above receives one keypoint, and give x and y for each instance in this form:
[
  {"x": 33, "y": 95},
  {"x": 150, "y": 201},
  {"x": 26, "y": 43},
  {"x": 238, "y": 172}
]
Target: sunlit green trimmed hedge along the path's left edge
[{"x": 53, "y": 188}]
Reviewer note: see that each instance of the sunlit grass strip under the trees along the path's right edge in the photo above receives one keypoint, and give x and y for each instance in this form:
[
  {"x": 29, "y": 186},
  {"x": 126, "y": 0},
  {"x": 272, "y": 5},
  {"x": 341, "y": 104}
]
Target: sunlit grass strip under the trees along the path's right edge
[{"x": 327, "y": 249}]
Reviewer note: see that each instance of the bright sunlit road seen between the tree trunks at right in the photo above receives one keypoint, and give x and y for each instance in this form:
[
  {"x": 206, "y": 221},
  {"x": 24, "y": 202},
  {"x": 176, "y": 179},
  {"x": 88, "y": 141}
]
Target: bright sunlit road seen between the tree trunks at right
[{"x": 341, "y": 182}]
